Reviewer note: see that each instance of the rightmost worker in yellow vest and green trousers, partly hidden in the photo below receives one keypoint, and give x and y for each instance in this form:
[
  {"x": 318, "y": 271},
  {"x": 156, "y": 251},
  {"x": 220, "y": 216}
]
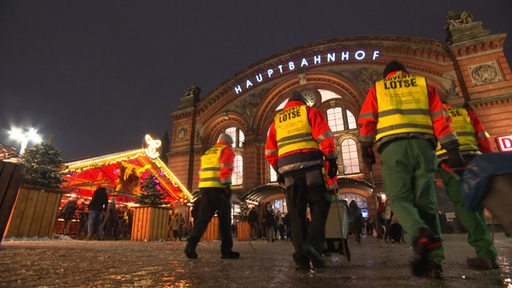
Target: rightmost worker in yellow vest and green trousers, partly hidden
[{"x": 474, "y": 141}]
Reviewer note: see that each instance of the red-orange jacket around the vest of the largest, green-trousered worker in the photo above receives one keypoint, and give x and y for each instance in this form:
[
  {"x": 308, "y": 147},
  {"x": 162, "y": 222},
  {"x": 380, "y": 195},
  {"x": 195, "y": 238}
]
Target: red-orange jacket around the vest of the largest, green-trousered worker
[{"x": 369, "y": 116}]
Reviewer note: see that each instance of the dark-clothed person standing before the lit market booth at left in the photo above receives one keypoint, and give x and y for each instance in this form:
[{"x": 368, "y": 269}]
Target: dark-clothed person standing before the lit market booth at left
[{"x": 97, "y": 207}]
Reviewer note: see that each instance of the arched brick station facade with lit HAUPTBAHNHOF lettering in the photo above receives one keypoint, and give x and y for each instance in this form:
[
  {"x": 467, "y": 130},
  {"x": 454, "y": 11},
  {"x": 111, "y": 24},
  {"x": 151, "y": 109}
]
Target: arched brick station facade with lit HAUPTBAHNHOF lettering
[{"x": 469, "y": 66}]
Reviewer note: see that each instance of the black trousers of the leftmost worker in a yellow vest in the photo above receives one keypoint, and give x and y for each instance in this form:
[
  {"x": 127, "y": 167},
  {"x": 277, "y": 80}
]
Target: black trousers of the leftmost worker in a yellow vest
[{"x": 213, "y": 199}]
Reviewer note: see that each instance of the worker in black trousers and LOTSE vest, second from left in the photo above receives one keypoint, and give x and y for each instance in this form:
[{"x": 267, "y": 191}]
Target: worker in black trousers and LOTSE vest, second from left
[{"x": 299, "y": 146}]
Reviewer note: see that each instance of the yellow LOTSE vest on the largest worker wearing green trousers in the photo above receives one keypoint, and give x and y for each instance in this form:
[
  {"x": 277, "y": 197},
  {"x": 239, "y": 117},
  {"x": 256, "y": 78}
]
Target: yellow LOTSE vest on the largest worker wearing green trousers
[{"x": 403, "y": 106}]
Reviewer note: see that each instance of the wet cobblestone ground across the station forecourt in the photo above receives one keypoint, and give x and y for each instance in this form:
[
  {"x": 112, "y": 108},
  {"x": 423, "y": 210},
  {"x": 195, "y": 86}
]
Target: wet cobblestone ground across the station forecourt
[{"x": 79, "y": 263}]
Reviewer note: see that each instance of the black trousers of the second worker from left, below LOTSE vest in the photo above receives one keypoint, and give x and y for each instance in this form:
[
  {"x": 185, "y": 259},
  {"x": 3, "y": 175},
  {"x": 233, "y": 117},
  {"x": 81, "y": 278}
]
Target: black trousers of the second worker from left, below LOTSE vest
[{"x": 307, "y": 189}]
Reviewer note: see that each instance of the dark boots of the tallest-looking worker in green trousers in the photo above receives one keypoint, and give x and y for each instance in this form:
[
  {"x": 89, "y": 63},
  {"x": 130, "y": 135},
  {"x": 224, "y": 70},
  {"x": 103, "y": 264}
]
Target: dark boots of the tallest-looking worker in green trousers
[{"x": 421, "y": 265}]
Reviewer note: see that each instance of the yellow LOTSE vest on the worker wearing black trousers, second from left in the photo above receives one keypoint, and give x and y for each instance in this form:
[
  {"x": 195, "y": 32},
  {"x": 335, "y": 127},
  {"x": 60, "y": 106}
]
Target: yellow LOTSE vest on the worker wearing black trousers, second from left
[{"x": 293, "y": 131}]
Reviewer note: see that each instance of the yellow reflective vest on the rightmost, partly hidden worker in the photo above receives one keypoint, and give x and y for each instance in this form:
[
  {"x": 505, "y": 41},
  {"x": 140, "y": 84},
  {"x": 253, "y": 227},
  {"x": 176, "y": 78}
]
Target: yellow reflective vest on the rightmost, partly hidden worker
[{"x": 461, "y": 124}]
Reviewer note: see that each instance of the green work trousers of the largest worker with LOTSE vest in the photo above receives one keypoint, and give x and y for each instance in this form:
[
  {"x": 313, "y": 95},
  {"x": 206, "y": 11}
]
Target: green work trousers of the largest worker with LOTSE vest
[{"x": 408, "y": 169}]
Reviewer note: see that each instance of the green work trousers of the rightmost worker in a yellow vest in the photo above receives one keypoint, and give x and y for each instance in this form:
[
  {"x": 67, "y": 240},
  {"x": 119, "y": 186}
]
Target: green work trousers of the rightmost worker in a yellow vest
[{"x": 474, "y": 221}]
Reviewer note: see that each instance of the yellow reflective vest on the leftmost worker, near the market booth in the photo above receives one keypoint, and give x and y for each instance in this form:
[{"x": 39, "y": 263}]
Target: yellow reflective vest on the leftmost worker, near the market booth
[{"x": 209, "y": 176}]
